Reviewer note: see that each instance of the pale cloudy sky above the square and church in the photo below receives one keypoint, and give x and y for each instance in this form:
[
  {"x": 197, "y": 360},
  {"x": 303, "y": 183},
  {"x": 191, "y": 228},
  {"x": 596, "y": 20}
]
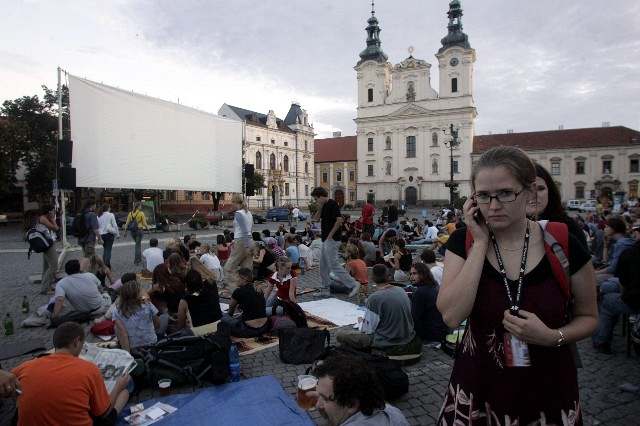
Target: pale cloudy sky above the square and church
[{"x": 539, "y": 64}]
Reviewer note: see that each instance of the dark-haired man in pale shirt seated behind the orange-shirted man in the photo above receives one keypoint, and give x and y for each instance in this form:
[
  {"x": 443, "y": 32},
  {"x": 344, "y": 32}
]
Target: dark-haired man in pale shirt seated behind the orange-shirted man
[{"x": 79, "y": 292}]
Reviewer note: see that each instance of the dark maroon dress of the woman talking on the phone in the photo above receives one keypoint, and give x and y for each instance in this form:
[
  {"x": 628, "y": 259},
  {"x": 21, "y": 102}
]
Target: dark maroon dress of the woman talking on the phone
[{"x": 482, "y": 390}]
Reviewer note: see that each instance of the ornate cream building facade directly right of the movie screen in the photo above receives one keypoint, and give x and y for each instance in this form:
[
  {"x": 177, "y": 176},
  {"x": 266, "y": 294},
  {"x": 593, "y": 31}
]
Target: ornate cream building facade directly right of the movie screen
[{"x": 281, "y": 151}]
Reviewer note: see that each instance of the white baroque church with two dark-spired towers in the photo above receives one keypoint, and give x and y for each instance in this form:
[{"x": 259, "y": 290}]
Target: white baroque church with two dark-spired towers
[{"x": 404, "y": 126}]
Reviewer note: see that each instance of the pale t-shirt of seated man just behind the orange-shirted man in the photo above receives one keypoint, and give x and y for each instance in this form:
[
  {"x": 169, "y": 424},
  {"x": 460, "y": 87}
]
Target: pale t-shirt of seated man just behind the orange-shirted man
[{"x": 81, "y": 291}]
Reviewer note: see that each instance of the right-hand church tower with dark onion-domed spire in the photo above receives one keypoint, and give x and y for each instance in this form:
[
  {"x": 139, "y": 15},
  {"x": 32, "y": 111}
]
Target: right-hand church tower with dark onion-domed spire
[{"x": 456, "y": 57}]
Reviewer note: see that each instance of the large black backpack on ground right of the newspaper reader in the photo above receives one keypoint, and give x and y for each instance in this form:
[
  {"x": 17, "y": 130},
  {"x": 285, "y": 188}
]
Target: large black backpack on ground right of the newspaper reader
[{"x": 187, "y": 359}]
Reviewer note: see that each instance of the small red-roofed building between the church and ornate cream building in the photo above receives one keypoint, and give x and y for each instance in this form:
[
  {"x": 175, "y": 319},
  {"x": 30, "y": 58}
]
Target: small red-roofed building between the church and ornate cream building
[{"x": 336, "y": 164}]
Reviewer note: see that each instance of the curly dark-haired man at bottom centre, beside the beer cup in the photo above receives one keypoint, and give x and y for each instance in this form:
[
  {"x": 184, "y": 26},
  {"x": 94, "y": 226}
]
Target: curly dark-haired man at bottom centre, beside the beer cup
[{"x": 349, "y": 393}]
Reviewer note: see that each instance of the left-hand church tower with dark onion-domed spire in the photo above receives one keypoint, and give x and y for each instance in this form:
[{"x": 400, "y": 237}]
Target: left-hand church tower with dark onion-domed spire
[{"x": 374, "y": 71}]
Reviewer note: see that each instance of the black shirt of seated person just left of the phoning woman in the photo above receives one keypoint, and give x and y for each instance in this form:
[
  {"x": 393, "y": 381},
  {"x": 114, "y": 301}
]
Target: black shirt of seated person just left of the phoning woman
[{"x": 427, "y": 320}]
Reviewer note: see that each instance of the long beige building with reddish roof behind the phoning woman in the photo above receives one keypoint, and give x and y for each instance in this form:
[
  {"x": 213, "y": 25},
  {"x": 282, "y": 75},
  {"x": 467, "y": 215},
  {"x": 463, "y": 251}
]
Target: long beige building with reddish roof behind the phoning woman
[{"x": 585, "y": 163}]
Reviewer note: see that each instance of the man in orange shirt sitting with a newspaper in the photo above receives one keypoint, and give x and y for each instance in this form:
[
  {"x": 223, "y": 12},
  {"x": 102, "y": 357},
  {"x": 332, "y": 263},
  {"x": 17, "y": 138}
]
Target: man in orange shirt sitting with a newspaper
[{"x": 62, "y": 389}]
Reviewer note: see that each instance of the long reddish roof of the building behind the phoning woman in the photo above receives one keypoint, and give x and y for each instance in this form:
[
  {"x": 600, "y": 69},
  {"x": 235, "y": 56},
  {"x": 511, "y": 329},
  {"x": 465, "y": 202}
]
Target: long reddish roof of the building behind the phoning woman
[{"x": 560, "y": 139}]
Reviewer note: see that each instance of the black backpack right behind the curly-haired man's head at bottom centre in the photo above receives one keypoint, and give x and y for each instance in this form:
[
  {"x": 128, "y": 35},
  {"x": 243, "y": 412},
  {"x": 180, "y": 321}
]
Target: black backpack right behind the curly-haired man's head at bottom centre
[{"x": 394, "y": 381}]
